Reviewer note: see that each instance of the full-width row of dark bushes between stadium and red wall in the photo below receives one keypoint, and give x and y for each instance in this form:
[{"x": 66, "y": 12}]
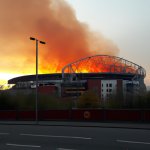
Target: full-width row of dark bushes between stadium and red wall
[{"x": 21, "y": 100}]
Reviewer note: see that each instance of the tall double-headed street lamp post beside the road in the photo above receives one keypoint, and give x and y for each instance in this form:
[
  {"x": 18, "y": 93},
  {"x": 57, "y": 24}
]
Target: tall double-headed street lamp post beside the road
[{"x": 36, "y": 100}]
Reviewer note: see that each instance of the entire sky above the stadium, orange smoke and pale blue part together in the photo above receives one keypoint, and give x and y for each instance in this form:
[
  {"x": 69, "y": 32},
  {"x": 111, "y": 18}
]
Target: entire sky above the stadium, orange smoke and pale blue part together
[{"x": 119, "y": 27}]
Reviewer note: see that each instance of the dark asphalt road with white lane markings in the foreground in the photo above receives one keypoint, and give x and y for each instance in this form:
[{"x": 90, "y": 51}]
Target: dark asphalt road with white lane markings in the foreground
[{"x": 35, "y": 137}]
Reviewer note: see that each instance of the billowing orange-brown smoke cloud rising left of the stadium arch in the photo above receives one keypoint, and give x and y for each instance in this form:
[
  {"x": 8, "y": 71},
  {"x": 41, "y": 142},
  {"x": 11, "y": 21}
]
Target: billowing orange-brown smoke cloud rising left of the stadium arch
[{"x": 53, "y": 21}]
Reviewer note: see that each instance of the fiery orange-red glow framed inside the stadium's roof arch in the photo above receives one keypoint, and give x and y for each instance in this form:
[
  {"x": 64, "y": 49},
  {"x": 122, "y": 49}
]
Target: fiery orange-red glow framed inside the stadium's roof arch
[{"x": 101, "y": 64}]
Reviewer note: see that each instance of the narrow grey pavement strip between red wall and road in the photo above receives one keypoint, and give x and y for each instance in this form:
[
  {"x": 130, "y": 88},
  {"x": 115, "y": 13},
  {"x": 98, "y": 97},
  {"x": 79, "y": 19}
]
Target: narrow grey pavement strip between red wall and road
[{"x": 127, "y": 125}]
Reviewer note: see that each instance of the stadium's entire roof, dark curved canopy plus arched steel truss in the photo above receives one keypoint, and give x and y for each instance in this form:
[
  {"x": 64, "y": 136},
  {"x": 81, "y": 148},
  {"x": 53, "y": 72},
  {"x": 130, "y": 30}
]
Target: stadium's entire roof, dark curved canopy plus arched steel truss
[{"x": 98, "y": 66}]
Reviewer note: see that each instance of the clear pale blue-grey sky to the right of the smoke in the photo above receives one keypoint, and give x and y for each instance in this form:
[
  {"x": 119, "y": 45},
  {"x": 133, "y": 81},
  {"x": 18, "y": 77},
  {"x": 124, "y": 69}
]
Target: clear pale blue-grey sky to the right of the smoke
[{"x": 125, "y": 22}]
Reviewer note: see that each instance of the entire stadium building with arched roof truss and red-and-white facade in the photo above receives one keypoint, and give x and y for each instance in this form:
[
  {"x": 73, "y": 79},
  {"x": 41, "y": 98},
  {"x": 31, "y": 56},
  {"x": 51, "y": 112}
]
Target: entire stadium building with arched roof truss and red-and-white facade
[{"x": 103, "y": 74}]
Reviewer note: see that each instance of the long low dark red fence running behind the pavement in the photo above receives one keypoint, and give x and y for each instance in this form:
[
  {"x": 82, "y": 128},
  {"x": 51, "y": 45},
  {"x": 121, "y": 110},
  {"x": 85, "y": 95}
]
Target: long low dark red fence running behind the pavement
[{"x": 80, "y": 115}]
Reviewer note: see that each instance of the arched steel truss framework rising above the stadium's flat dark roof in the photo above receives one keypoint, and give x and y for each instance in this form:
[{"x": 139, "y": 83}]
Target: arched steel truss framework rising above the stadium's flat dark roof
[{"x": 104, "y": 64}]
